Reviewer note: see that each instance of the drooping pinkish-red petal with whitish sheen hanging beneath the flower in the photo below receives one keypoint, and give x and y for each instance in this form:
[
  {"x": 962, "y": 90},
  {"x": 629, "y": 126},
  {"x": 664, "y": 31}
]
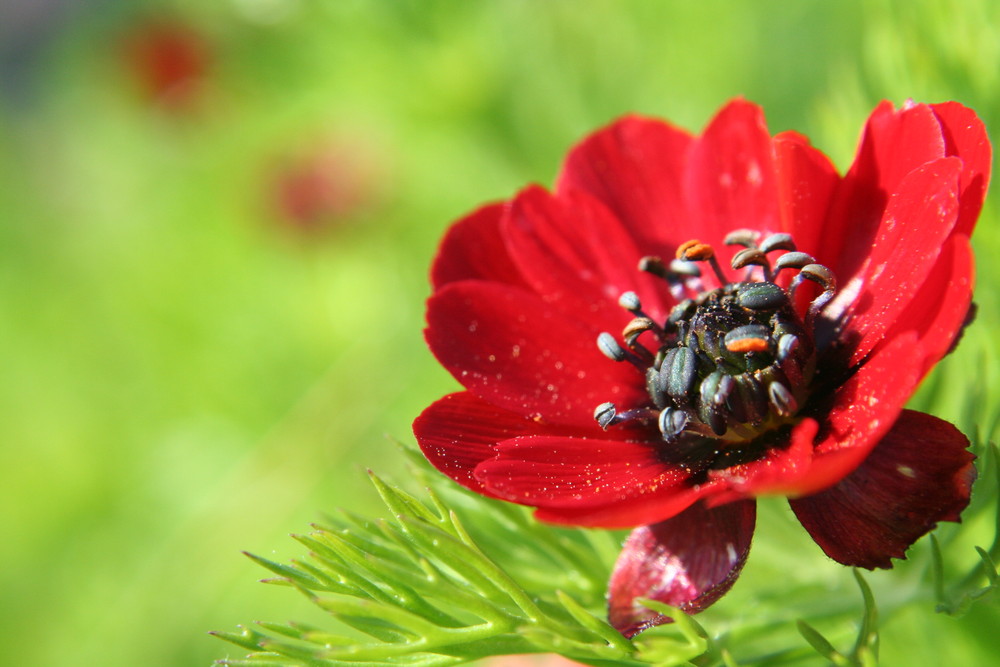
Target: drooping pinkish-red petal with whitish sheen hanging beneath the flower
[{"x": 689, "y": 562}]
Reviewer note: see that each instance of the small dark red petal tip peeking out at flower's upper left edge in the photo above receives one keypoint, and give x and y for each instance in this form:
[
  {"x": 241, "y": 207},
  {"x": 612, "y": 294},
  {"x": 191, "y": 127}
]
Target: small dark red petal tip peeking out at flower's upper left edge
[{"x": 473, "y": 249}]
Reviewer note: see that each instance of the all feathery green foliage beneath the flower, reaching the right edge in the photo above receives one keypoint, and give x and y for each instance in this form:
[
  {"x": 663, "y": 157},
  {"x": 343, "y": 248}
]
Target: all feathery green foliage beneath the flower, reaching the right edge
[{"x": 428, "y": 588}]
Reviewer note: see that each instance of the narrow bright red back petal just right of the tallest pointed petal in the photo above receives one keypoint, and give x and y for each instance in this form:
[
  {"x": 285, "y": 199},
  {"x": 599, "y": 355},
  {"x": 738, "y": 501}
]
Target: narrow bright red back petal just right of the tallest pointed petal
[{"x": 806, "y": 182}]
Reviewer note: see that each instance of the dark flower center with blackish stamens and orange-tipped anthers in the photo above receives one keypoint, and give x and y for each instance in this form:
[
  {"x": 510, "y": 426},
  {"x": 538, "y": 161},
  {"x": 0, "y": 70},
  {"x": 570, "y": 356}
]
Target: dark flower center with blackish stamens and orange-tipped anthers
[{"x": 730, "y": 363}]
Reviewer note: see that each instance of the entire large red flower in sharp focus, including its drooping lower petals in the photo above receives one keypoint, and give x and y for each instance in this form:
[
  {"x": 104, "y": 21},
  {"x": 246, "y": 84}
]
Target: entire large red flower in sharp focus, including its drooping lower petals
[{"x": 783, "y": 371}]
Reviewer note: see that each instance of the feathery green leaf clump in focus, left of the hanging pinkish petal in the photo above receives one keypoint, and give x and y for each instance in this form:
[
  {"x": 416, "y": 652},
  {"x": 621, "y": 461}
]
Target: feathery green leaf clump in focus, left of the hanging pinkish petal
[{"x": 419, "y": 590}]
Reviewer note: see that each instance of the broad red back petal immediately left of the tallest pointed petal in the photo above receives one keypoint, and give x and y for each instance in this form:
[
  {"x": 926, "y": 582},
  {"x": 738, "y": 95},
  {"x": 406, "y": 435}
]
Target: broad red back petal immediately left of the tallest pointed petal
[{"x": 636, "y": 166}]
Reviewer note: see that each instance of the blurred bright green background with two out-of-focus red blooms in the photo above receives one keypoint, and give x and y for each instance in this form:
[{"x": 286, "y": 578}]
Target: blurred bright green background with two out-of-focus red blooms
[{"x": 216, "y": 220}]
